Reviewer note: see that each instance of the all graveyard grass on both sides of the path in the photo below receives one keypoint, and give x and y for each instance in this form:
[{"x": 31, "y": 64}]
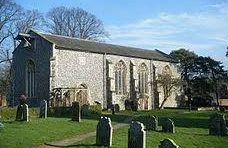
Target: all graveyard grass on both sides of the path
[{"x": 191, "y": 130}]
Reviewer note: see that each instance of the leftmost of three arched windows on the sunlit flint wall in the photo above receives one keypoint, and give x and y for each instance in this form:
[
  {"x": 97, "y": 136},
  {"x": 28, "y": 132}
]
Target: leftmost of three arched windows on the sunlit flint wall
[{"x": 120, "y": 78}]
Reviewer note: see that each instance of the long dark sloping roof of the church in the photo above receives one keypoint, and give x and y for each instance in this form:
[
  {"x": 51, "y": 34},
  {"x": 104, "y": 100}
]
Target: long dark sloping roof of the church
[{"x": 100, "y": 47}]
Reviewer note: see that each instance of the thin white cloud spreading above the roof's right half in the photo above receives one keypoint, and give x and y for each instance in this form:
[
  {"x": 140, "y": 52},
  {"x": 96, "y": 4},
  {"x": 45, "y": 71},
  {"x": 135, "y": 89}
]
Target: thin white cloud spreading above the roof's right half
[{"x": 202, "y": 31}]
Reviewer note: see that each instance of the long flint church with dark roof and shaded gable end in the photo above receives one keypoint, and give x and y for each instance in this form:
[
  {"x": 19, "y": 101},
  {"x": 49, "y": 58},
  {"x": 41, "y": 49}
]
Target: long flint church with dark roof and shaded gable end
[{"x": 63, "y": 69}]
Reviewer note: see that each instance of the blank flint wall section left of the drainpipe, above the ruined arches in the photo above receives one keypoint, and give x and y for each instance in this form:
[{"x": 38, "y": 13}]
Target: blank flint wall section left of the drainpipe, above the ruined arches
[{"x": 73, "y": 68}]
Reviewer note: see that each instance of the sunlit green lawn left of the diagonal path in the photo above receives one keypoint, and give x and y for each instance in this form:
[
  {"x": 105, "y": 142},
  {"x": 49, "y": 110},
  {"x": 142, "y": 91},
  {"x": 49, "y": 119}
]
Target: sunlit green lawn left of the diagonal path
[{"x": 38, "y": 131}]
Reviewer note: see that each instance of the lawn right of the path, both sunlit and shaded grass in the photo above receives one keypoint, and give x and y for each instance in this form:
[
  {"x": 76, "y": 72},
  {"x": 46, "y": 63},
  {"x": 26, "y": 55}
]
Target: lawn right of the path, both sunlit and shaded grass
[{"x": 191, "y": 130}]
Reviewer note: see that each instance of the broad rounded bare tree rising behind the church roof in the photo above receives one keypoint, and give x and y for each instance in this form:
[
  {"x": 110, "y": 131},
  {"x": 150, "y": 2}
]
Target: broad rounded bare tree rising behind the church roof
[{"x": 75, "y": 22}]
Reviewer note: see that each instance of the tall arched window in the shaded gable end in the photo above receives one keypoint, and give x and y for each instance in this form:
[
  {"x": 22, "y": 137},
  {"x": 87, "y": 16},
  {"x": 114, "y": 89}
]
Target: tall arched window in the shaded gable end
[{"x": 30, "y": 79}]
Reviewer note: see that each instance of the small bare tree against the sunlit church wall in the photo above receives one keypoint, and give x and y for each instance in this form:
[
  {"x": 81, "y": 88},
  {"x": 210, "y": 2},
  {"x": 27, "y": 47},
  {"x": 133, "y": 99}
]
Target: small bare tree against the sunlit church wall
[{"x": 169, "y": 84}]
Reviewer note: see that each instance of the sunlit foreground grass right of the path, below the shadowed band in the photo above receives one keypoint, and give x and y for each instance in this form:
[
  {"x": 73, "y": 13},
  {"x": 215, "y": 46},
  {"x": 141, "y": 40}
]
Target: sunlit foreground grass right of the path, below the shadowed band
[{"x": 184, "y": 137}]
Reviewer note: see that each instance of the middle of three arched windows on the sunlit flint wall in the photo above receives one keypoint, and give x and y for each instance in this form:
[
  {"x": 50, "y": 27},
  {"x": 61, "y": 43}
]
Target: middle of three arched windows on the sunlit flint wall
[{"x": 143, "y": 79}]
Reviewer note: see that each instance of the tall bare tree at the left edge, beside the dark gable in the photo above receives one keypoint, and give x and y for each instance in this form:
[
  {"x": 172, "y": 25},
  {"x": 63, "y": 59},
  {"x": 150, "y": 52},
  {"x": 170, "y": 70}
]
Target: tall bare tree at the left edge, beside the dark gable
[{"x": 13, "y": 20}]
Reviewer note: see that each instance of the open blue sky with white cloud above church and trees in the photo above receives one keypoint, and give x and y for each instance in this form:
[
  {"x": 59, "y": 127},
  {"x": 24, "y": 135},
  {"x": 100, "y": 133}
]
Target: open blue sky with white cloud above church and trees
[{"x": 198, "y": 25}]
